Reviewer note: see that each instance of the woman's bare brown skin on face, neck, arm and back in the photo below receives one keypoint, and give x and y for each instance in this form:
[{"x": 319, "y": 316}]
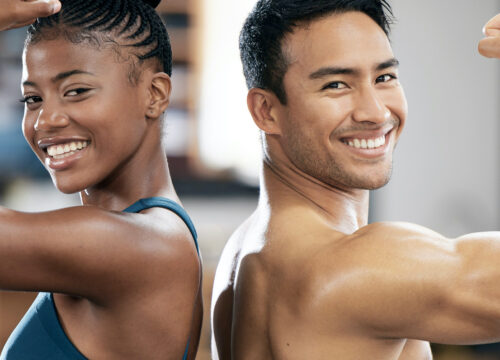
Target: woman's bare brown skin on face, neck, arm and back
[{"x": 125, "y": 285}]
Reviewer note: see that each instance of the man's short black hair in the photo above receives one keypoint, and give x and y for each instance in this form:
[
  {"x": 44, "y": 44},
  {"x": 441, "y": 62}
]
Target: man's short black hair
[{"x": 264, "y": 63}]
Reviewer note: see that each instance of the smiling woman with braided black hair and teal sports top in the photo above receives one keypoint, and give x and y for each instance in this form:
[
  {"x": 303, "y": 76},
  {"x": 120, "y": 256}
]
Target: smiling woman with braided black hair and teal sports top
[{"x": 115, "y": 283}]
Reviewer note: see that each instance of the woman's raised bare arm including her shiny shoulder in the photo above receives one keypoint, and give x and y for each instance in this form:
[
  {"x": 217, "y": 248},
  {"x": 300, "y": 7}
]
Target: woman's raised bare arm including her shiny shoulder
[{"x": 92, "y": 252}]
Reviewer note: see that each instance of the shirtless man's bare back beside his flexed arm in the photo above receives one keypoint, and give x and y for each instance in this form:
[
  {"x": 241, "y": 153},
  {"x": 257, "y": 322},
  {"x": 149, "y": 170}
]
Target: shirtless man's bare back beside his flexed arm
[{"x": 290, "y": 284}]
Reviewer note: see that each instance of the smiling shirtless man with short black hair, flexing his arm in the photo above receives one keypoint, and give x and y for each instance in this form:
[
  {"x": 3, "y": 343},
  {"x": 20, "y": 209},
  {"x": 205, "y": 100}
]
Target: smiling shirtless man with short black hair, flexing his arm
[{"x": 306, "y": 277}]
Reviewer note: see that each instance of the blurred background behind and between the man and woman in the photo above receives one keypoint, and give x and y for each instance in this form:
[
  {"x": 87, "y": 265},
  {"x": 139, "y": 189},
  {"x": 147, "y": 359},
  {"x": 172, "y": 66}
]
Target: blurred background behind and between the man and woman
[{"x": 446, "y": 171}]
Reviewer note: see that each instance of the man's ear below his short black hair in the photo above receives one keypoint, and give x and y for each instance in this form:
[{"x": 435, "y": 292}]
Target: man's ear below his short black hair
[{"x": 265, "y": 108}]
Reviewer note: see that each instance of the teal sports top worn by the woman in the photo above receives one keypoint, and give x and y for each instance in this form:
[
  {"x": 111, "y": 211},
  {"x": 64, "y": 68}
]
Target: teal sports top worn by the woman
[{"x": 39, "y": 334}]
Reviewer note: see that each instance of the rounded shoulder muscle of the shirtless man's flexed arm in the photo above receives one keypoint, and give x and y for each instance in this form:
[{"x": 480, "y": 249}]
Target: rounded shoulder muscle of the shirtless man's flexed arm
[{"x": 400, "y": 267}]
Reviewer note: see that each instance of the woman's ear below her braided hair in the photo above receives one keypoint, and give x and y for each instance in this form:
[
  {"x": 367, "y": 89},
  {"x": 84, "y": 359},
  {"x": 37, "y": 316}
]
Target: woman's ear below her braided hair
[{"x": 160, "y": 87}]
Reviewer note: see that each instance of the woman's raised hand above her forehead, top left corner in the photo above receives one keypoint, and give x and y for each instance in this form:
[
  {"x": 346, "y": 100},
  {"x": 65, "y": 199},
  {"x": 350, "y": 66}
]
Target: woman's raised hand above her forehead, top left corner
[{"x": 19, "y": 13}]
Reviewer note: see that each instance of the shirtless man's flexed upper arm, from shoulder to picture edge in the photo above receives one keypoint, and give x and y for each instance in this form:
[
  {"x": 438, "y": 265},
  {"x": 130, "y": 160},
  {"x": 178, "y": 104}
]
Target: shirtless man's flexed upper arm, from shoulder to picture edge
[{"x": 408, "y": 282}]
